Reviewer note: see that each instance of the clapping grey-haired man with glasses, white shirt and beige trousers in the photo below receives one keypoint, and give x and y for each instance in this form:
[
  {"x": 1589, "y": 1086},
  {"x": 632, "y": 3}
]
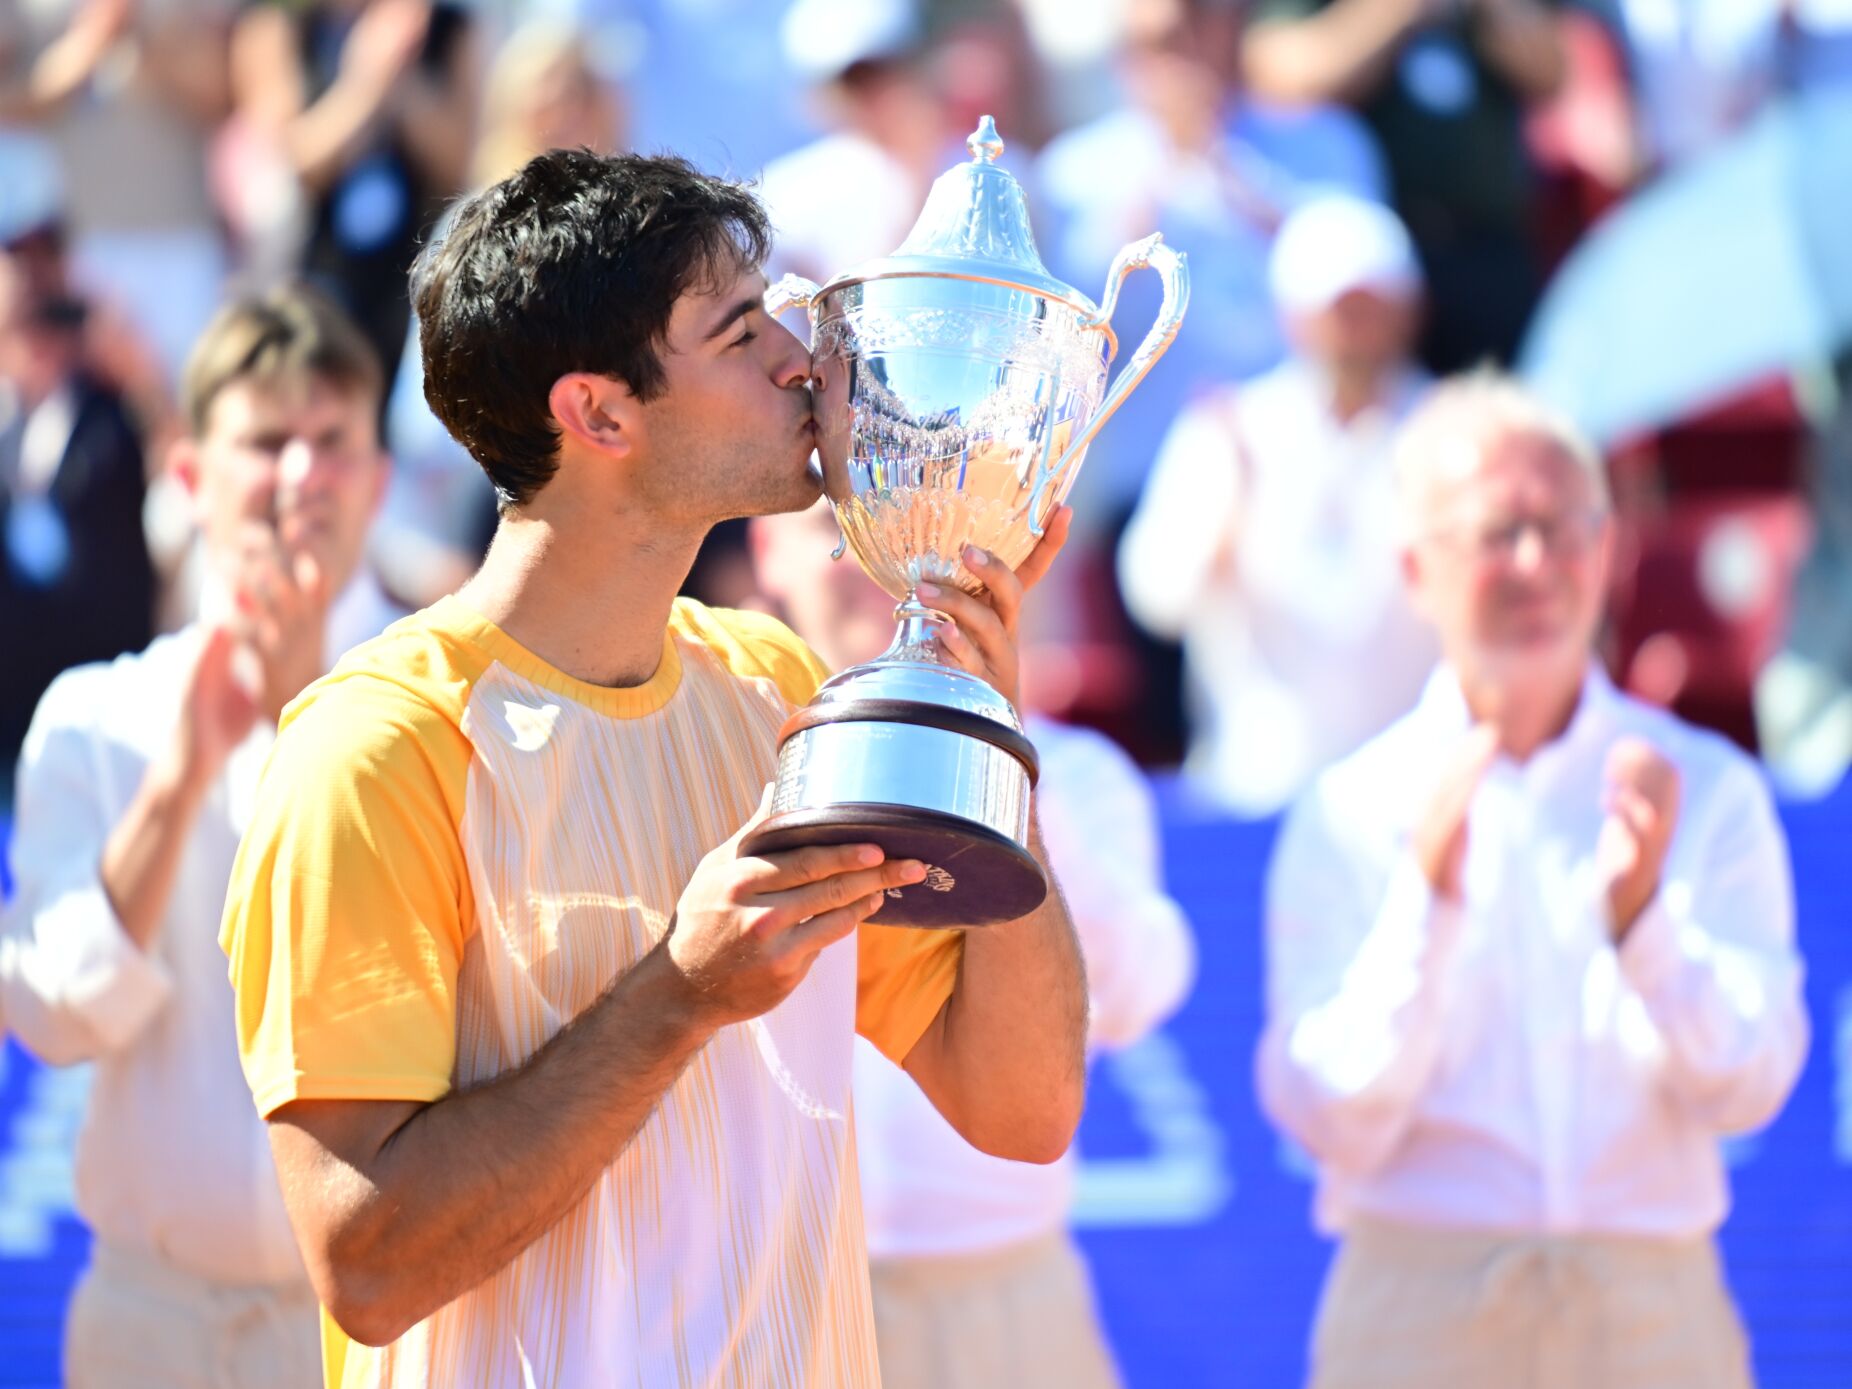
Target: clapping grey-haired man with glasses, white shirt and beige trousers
[{"x": 1531, "y": 955}]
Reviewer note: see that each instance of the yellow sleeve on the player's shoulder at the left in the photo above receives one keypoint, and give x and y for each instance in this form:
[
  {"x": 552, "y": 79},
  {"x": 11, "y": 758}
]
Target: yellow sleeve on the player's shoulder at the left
[{"x": 349, "y": 903}]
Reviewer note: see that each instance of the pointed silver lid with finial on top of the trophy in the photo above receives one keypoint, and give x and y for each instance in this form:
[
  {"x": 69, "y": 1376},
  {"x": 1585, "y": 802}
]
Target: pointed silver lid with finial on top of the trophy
[{"x": 975, "y": 227}]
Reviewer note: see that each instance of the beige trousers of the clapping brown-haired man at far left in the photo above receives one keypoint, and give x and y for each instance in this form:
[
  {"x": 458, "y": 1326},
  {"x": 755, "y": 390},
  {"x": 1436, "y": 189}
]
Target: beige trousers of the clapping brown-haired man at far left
[{"x": 140, "y": 1325}]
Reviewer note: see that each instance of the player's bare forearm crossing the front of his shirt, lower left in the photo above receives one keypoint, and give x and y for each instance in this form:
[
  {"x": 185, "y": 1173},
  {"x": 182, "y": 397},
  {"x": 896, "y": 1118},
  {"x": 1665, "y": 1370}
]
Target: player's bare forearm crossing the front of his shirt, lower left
[{"x": 460, "y": 1190}]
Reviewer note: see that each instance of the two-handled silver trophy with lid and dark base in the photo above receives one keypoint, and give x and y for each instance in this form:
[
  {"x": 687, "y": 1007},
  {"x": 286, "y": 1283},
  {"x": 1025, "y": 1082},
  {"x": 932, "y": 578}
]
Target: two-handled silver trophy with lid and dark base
[{"x": 957, "y": 388}]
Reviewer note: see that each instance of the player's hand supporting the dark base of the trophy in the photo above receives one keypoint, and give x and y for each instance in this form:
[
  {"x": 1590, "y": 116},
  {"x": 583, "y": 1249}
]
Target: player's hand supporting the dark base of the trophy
[{"x": 749, "y": 927}]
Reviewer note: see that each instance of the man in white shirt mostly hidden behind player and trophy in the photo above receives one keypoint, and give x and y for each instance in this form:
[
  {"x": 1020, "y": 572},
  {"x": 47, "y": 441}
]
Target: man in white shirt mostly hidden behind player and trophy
[{"x": 977, "y": 1281}]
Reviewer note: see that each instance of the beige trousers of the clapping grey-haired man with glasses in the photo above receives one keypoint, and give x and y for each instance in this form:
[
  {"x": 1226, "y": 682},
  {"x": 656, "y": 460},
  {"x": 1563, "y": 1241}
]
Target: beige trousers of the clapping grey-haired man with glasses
[{"x": 1412, "y": 1308}]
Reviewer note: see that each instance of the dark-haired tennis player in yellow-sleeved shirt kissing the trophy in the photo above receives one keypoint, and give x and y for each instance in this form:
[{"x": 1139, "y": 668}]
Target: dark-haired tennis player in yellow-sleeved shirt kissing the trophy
[{"x": 557, "y": 1079}]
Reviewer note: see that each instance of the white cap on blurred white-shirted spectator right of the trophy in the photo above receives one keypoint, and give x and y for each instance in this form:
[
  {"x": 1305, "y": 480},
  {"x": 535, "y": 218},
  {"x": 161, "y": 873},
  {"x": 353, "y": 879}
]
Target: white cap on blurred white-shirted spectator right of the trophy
[{"x": 1338, "y": 244}]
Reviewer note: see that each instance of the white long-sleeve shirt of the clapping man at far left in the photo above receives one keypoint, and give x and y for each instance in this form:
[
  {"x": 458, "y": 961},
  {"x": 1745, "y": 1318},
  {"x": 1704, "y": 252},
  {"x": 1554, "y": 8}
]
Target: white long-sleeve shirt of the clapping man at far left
[{"x": 173, "y": 1160}]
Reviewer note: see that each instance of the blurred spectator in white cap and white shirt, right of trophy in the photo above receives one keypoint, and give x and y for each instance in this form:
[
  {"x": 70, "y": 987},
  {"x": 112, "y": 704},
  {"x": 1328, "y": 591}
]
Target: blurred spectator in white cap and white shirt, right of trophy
[{"x": 1264, "y": 540}]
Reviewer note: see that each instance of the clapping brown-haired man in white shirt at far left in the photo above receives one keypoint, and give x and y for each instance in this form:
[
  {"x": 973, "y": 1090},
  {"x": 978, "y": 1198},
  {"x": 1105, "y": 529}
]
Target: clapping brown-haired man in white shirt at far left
[{"x": 134, "y": 786}]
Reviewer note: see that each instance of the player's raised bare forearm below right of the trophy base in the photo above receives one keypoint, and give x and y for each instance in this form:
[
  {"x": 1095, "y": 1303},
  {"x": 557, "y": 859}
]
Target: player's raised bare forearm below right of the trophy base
[{"x": 1007, "y": 1060}]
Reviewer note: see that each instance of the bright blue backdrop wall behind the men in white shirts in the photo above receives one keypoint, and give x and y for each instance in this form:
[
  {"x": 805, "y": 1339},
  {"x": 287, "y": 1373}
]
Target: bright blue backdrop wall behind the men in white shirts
[{"x": 1194, "y": 1214}]
